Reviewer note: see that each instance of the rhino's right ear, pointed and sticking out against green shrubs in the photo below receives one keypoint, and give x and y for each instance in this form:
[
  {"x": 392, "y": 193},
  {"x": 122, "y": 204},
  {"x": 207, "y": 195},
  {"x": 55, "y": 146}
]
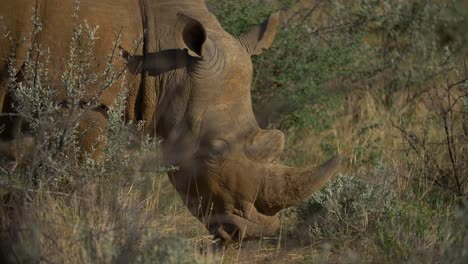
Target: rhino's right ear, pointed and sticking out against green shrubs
[{"x": 261, "y": 36}]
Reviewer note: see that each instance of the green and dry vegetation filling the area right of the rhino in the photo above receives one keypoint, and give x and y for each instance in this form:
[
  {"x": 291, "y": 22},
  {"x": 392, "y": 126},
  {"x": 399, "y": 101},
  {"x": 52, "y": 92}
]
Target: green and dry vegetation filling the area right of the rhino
[{"x": 383, "y": 83}]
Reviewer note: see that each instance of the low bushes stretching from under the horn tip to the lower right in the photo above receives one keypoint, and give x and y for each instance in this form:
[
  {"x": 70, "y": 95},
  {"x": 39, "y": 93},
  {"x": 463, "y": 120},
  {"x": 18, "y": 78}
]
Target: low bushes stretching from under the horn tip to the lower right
[{"x": 357, "y": 211}]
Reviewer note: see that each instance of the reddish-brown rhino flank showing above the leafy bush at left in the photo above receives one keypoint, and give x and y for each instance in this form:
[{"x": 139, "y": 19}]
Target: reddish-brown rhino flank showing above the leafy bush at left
[{"x": 112, "y": 16}]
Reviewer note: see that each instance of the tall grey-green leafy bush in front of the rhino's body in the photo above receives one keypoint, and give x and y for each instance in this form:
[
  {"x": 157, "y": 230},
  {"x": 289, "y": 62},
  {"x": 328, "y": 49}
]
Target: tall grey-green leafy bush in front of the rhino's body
[{"x": 57, "y": 160}]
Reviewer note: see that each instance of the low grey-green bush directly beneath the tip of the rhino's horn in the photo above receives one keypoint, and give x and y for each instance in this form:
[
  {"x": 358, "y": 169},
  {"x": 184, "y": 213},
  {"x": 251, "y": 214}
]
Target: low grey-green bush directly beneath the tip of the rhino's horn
[{"x": 347, "y": 206}]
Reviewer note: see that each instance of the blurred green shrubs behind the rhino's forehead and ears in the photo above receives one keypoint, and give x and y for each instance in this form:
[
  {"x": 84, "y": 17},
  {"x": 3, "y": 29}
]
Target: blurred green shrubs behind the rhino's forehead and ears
[{"x": 343, "y": 43}]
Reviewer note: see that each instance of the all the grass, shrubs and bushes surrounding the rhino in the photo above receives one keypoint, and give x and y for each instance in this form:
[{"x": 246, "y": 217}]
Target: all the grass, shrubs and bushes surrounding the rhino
[{"x": 384, "y": 83}]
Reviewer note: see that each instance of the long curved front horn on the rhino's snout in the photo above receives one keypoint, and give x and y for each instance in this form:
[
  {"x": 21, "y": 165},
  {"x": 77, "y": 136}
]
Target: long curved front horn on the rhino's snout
[{"x": 285, "y": 186}]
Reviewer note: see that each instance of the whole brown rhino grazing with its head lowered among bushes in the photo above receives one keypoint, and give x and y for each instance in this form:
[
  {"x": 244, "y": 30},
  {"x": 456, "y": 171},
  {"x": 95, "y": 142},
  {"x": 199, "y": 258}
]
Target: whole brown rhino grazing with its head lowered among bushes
[{"x": 191, "y": 85}]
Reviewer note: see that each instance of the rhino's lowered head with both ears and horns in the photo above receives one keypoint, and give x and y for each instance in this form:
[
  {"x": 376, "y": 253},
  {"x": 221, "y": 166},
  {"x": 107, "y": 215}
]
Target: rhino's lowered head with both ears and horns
[{"x": 227, "y": 171}]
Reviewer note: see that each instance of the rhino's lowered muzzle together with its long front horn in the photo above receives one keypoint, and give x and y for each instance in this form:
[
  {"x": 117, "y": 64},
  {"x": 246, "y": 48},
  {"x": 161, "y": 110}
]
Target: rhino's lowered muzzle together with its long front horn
[{"x": 240, "y": 199}]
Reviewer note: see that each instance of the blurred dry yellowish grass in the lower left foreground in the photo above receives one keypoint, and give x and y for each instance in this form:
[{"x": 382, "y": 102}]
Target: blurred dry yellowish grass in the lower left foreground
[{"x": 100, "y": 223}]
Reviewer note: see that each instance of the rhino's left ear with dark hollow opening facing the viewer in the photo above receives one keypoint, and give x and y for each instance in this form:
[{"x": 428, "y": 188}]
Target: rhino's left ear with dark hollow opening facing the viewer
[{"x": 190, "y": 35}]
